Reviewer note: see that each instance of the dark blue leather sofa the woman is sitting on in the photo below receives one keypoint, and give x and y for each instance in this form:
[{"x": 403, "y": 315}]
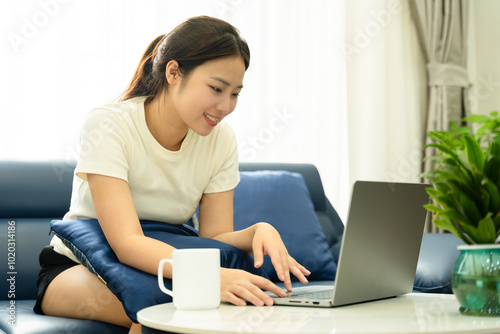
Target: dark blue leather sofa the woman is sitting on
[{"x": 34, "y": 193}]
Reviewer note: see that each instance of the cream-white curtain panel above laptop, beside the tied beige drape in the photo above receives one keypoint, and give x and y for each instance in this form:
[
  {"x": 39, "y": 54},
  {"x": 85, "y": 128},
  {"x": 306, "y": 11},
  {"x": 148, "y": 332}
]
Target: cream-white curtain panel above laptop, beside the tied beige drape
[{"x": 386, "y": 91}]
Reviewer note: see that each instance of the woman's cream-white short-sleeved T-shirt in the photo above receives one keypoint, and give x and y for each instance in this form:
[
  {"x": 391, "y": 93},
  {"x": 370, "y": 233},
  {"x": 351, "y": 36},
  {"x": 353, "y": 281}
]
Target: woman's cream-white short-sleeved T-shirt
[{"x": 166, "y": 186}]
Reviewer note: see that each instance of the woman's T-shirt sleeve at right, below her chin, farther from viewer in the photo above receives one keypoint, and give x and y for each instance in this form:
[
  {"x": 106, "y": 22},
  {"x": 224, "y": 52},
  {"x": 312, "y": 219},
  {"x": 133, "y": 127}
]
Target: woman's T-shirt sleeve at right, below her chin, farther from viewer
[{"x": 226, "y": 175}]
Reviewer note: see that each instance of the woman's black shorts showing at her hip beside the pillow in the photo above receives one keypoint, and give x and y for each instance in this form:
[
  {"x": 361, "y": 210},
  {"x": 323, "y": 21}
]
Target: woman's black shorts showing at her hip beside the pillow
[{"x": 51, "y": 265}]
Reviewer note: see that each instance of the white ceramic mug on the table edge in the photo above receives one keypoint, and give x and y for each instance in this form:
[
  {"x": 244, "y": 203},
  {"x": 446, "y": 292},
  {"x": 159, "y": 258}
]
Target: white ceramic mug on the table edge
[{"x": 195, "y": 278}]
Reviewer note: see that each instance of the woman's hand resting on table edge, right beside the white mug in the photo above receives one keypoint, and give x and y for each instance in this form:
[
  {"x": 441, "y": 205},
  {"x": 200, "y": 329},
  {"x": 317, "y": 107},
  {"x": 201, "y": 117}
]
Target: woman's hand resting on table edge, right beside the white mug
[{"x": 239, "y": 286}]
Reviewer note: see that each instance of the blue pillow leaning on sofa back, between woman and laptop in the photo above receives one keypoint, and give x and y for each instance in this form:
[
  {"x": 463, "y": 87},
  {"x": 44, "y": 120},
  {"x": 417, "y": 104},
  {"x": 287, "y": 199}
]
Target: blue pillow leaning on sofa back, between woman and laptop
[{"x": 282, "y": 199}]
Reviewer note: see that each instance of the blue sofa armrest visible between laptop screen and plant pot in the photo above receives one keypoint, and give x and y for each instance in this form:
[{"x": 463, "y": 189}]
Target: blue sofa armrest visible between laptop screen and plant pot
[{"x": 438, "y": 254}]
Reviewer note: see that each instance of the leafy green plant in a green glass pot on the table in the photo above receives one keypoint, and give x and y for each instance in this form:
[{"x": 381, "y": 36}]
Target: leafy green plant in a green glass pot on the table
[{"x": 466, "y": 202}]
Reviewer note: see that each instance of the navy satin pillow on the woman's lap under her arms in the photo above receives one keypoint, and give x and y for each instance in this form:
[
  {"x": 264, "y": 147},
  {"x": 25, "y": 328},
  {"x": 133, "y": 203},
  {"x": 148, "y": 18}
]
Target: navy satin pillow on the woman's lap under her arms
[{"x": 134, "y": 288}]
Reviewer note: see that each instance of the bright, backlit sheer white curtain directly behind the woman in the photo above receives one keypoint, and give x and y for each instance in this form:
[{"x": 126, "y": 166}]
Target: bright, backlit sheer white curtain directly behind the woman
[{"x": 60, "y": 59}]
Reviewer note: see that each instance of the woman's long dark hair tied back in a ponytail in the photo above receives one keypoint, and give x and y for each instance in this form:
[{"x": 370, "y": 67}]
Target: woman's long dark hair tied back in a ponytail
[{"x": 192, "y": 43}]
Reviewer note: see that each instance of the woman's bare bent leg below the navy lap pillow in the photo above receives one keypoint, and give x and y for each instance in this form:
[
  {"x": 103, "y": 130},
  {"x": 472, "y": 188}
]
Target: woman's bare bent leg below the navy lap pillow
[{"x": 77, "y": 293}]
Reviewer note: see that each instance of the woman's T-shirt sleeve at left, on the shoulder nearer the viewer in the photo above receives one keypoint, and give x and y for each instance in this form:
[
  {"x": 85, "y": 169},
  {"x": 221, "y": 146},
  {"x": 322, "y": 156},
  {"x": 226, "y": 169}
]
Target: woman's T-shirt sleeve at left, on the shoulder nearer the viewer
[{"x": 103, "y": 146}]
